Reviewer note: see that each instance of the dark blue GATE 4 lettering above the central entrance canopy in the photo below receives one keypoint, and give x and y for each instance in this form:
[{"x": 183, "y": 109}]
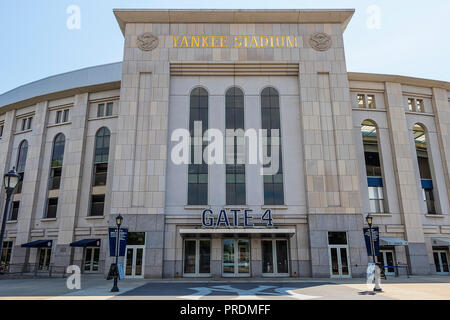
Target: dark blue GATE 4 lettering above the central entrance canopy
[{"x": 236, "y": 218}]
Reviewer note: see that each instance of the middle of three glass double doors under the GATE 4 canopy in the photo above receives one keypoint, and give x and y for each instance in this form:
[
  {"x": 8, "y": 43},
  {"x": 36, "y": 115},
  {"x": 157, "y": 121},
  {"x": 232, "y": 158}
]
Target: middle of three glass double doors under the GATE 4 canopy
[{"x": 236, "y": 258}]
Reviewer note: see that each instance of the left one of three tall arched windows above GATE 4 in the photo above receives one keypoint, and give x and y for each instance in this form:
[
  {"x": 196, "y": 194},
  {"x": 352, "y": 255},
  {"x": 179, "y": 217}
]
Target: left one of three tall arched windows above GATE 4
[{"x": 198, "y": 169}]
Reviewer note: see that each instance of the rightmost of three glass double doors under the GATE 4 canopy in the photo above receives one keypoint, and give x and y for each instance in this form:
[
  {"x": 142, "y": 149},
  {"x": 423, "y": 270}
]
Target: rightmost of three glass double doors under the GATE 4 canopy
[{"x": 275, "y": 257}]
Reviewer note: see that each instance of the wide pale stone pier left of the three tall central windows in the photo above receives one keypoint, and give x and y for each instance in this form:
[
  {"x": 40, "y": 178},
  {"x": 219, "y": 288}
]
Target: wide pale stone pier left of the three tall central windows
[{"x": 139, "y": 182}]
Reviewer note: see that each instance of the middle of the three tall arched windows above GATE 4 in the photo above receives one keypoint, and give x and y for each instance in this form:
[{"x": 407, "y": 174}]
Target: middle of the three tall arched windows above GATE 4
[{"x": 235, "y": 167}]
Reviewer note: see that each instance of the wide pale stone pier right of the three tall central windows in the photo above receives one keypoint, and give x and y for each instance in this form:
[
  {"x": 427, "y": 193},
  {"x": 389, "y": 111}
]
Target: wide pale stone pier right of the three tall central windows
[{"x": 331, "y": 170}]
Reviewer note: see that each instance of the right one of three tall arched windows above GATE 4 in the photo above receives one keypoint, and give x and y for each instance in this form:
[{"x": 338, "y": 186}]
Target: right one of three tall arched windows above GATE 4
[{"x": 270, "y": 113}]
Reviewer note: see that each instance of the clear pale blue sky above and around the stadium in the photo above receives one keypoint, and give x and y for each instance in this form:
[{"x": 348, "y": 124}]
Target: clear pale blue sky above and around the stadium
[{"x": 412, "y": 38}]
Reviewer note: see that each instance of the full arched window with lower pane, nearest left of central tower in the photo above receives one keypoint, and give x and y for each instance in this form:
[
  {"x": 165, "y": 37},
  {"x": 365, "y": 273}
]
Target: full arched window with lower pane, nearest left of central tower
[{"x": 101, "y": 156}]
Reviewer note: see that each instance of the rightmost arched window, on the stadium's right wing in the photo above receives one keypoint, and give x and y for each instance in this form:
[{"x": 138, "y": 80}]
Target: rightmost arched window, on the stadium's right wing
[{"x": 420, "y": 141}]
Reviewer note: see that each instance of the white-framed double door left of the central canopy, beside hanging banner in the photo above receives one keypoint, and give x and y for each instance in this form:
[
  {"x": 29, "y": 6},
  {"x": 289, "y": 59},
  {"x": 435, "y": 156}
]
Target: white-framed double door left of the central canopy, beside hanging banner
[{"x": 134, "y": 260}]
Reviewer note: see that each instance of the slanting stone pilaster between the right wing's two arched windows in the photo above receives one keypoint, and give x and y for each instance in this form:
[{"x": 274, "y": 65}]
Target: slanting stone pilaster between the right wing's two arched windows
[{"x": 406, "y": 179}]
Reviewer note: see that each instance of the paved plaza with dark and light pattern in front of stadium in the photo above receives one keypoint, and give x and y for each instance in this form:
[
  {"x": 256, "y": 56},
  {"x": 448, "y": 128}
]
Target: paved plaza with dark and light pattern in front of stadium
[{"x": 94, "y": 287}]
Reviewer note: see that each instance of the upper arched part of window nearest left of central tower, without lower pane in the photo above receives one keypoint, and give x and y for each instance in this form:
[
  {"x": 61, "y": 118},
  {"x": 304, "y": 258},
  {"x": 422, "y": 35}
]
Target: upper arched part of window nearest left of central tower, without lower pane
[{"x": 101, "y": 155}]
